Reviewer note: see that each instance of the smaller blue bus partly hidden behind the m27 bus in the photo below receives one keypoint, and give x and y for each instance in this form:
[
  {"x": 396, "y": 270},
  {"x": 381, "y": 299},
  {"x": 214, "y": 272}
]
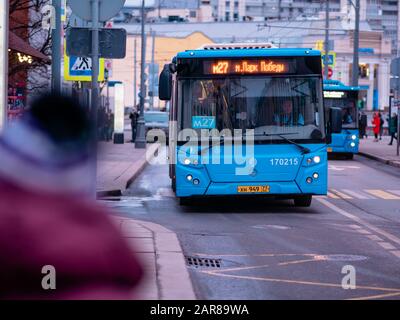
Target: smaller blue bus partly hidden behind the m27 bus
[{"x": 338, "y": 95}]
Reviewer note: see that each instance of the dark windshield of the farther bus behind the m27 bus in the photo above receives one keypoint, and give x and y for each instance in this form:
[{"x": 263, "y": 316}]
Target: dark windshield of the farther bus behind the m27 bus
[{"x": 349, "y": 110}]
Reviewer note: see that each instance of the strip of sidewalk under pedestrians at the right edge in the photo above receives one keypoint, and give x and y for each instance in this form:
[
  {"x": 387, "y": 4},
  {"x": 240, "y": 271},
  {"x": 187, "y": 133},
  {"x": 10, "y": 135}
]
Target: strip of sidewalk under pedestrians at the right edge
[{"x": 380, "y": 151}]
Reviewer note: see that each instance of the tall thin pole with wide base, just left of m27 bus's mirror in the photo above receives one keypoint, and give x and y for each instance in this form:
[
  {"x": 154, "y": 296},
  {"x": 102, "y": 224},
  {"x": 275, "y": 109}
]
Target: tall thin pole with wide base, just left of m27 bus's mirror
[{"x": 141, "y": 139}]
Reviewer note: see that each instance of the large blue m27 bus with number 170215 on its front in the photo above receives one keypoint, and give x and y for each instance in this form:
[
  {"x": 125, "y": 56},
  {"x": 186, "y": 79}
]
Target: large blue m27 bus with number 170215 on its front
[{"x": 235, "y": 98}]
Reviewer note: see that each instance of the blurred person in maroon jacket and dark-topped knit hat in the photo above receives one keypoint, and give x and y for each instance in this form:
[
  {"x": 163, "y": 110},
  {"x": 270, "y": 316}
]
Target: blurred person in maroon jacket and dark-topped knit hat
[{"x": 47, "y": 216}]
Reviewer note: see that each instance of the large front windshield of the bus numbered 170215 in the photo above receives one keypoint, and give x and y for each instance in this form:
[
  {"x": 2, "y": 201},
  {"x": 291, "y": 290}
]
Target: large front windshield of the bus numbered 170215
[{"x": 272, "y": 106}]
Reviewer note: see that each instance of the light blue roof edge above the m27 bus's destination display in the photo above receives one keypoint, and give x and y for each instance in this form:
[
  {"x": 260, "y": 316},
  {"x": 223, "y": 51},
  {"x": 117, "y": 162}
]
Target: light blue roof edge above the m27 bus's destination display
[{"x": 246, "y": 52}]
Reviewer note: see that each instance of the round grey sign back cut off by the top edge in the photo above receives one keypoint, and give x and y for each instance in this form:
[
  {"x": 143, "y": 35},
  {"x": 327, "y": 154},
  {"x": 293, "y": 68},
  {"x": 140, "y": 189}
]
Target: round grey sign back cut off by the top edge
[{"x": 107, "y": 9}]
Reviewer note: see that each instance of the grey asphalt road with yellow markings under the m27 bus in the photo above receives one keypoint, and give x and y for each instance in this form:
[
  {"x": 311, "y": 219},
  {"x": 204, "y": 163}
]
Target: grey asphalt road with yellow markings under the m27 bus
[{"x": 266, "y": 249}]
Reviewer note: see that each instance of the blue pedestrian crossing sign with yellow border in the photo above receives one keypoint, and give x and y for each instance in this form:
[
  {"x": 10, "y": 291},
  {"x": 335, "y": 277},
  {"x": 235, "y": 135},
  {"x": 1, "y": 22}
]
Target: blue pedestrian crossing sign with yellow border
[{"x": 80, "y": 69}]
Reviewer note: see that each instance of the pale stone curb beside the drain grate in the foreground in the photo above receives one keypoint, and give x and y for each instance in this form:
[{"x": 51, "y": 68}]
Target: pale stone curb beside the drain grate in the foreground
[{"x": 172, "y": 276}]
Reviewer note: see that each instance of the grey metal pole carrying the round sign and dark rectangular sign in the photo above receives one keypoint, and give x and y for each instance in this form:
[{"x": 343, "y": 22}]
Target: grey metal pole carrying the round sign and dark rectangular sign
[{"x": 95, "y": 83}]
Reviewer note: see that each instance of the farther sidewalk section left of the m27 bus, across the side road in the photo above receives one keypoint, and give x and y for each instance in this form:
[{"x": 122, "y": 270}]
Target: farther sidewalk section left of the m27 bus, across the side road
[{"x": 118, "y": 165}]
